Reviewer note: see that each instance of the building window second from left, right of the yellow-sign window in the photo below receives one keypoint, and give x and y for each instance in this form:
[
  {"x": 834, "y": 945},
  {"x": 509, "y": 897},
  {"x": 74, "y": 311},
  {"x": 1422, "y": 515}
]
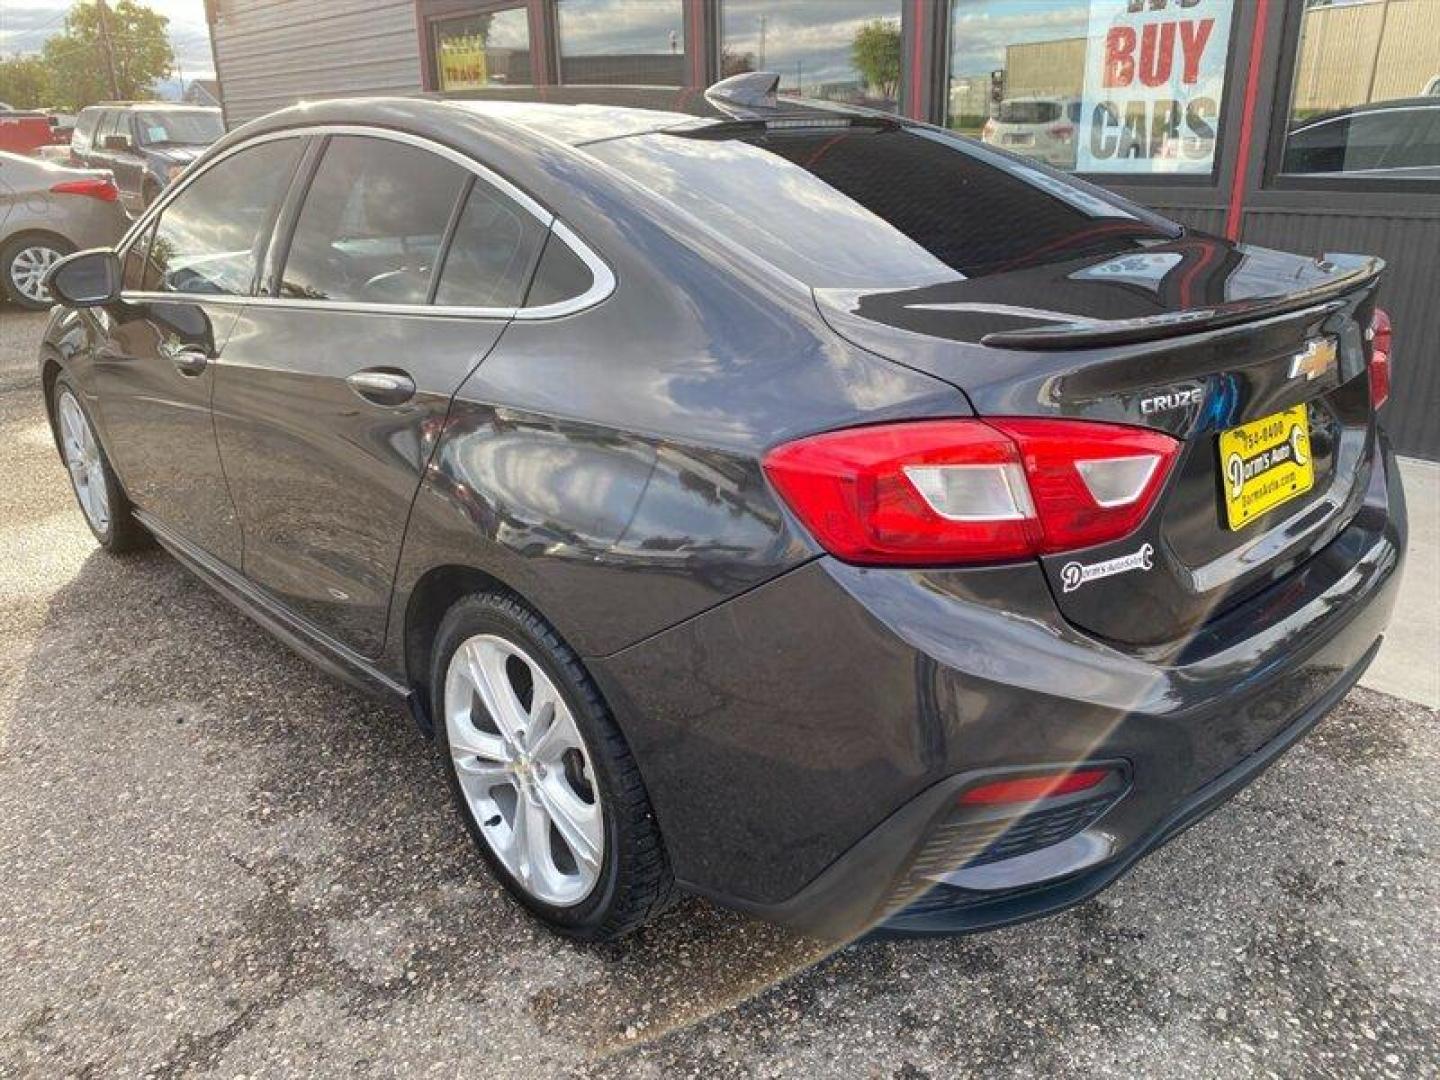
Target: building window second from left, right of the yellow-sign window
[{"x": 621, "y": 42}]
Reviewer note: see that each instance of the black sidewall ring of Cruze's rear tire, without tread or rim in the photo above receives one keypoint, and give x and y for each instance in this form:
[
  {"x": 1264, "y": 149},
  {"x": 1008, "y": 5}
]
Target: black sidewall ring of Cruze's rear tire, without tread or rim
[{"x": 495, "y": 614}]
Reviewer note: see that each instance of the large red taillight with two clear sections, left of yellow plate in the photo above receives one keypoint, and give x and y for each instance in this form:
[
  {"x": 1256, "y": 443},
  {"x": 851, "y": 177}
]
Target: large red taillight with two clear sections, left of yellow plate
[{"x": 971, "y": 492}]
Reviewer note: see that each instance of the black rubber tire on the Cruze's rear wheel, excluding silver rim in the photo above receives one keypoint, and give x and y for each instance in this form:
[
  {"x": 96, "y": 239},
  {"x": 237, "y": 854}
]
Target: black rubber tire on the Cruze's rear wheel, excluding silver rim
[{"x": 636, "y": 883}]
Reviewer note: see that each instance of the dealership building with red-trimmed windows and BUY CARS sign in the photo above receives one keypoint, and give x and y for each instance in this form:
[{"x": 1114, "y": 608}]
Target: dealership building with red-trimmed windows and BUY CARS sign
[{"x": 1311, "y": 126}]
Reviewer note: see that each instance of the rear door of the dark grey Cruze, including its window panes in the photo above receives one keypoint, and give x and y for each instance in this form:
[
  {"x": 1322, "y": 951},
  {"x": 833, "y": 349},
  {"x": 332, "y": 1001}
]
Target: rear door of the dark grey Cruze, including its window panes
[{"x": 390, "y": 284}]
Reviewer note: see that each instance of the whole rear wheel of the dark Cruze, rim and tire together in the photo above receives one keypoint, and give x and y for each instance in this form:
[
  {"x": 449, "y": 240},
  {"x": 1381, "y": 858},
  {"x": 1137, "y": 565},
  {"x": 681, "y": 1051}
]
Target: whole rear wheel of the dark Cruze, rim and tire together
[{"x": 544, "y": 778}]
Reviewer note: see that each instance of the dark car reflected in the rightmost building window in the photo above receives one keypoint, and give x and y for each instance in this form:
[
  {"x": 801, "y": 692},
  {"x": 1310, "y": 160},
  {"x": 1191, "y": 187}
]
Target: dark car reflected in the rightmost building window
[{"x": 1389, "y": 139}]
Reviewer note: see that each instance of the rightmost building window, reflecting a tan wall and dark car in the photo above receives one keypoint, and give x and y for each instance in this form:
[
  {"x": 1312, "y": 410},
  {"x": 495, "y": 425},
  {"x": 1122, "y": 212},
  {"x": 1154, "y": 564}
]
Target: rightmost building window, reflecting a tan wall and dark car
[{"x": 1366, "y": 102}]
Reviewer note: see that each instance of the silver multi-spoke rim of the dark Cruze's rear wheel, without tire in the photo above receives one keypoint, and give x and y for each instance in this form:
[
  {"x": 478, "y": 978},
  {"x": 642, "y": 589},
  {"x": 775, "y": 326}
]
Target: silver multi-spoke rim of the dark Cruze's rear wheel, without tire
[{"x": 525, "y": 770}]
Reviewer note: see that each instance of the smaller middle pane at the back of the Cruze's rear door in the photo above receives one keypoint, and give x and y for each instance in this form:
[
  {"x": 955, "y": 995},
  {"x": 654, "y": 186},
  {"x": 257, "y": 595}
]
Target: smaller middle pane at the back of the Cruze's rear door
[{"x": 492, "y": 254}]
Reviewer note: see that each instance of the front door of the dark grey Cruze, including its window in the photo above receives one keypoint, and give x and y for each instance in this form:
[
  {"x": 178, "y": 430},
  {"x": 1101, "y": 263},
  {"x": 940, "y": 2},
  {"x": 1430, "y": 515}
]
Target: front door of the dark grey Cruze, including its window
[{"x": 188, "y": 276}]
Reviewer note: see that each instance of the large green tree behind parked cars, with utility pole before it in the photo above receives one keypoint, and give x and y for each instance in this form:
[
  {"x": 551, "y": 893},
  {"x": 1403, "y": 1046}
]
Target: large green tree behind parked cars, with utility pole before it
[{"x": 77, "y": 55}]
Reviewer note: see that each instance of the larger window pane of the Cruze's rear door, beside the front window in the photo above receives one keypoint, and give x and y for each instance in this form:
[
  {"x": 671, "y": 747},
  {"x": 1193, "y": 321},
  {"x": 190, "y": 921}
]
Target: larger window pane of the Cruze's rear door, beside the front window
[{"x": 372, "y": 225}]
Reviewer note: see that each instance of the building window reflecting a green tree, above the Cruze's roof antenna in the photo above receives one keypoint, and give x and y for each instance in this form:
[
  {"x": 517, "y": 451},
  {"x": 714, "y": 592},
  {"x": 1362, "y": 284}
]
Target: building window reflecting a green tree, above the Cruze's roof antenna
[{"x": 839, "y": 51}]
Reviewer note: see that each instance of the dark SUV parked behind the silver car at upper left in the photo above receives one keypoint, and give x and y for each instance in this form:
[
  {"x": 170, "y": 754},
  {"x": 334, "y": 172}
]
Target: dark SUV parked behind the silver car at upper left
[{"x": 146, "y": 145}]
